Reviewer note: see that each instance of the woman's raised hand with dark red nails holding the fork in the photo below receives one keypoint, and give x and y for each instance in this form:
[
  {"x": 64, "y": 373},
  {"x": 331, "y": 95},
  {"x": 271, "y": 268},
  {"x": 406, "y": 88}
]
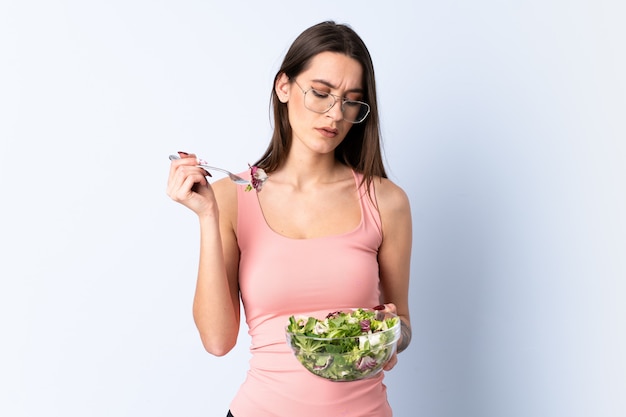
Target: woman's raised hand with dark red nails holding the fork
[{"x": 187, "y": 185}]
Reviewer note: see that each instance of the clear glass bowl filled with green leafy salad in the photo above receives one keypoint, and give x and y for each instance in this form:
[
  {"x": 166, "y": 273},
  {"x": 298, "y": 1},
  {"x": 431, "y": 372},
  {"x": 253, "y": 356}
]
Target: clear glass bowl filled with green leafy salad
[{"x": 347, "y": 345}]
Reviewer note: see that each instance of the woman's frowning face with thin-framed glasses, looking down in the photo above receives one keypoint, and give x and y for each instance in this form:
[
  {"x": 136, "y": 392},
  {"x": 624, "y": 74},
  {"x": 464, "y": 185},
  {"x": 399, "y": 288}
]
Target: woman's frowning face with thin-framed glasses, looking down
[{"x": 328, "y": 72}]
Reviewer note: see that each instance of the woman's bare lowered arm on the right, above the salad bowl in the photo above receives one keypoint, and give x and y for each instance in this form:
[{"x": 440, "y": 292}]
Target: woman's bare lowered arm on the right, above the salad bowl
[{"x": 394, "y": 255}]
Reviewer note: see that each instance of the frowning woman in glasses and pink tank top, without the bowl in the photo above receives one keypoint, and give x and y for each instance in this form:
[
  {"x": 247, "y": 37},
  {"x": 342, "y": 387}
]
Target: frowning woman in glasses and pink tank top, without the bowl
[{"x": 327, "y": 231}]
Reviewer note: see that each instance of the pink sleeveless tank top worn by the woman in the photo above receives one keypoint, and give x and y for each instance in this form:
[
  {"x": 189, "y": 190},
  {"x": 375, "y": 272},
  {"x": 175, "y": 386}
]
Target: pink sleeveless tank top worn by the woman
[{"x": 281, "y": 276}]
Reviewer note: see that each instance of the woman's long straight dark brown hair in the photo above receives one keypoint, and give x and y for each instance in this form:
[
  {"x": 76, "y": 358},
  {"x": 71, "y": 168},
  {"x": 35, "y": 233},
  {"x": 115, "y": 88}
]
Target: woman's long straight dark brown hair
[{"x": 361, "y": 148}]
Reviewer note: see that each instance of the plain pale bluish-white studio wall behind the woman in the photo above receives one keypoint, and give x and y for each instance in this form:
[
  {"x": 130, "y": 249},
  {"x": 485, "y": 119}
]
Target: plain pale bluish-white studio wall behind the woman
[{"x": 503, "y": 121}]
